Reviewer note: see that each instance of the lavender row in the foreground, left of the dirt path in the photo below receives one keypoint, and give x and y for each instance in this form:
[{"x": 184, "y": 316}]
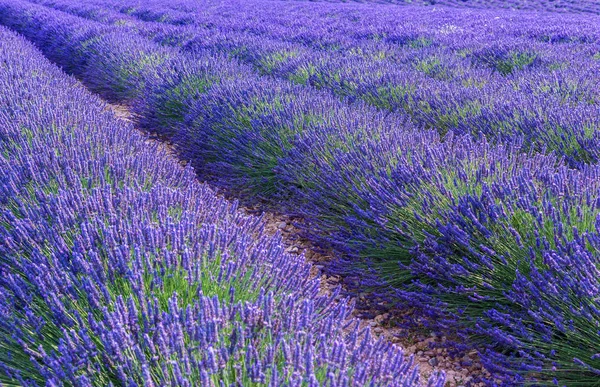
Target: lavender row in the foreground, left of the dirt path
[{"x": 118, "y": 268}]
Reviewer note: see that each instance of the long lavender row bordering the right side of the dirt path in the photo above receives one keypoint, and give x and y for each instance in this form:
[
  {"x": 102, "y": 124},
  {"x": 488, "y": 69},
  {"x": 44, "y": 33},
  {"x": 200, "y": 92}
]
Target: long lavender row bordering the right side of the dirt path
[{"x": 503, "y": 243}]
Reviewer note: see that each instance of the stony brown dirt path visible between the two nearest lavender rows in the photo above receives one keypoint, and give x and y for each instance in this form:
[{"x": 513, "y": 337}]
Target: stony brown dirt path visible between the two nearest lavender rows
[{"x": 428, "y": 348}]
